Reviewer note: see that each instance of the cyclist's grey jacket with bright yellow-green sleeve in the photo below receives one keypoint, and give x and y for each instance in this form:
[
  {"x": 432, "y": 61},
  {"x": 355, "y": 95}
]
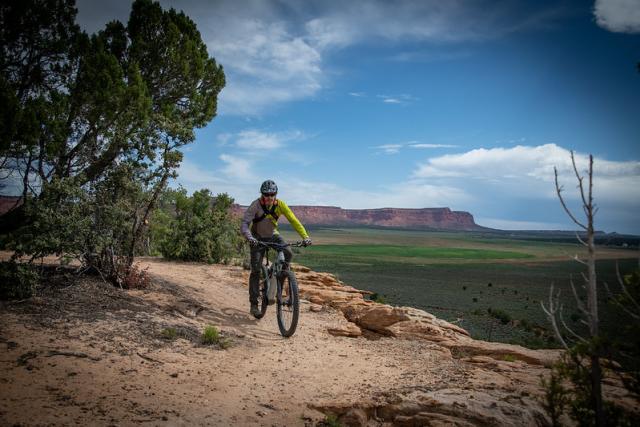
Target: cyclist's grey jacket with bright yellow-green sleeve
[{"x": 262, "y": 221}]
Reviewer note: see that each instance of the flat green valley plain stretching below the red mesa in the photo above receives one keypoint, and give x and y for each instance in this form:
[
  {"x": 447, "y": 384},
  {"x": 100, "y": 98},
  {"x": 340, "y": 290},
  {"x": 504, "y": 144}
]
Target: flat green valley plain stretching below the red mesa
[{"x": 461, "y": 276}]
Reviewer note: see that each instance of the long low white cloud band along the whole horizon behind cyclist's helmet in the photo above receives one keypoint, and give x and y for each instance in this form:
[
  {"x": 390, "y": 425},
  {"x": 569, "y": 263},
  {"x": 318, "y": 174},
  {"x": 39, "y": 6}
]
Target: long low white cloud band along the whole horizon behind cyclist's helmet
[{"x": 495, "y": 185}]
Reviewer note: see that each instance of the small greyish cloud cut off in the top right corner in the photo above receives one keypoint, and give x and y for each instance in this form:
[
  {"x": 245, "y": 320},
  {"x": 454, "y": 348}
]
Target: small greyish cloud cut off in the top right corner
[{"x": 620, "y": 16}]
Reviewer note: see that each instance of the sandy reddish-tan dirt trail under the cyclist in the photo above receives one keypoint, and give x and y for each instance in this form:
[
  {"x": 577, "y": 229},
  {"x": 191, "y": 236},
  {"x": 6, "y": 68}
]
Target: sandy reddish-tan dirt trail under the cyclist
[{"x": 90, "y": 354}]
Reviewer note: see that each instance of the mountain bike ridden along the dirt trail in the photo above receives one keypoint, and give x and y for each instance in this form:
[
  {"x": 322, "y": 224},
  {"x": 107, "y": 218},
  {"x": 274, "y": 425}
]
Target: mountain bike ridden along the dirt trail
[{"x": 279, "y": 286}]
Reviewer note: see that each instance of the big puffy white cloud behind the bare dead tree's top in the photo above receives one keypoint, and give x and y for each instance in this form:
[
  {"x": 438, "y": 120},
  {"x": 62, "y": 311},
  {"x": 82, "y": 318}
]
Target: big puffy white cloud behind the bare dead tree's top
[{"x": 524, "y": 176}]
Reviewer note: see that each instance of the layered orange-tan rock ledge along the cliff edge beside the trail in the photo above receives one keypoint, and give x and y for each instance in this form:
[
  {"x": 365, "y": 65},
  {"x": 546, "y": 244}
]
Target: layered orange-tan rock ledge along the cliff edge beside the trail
[{"x": 499, "y": 383}]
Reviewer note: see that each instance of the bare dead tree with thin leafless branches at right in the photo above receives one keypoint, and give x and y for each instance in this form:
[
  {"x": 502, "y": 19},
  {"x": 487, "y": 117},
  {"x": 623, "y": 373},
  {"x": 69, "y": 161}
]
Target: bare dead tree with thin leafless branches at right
[{"x": 590, "y": 311}]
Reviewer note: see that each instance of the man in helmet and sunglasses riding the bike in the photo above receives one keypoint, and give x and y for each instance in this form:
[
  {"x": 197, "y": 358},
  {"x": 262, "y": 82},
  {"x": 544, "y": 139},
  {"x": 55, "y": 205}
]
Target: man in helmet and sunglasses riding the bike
[{"x": 260, "y": 223}]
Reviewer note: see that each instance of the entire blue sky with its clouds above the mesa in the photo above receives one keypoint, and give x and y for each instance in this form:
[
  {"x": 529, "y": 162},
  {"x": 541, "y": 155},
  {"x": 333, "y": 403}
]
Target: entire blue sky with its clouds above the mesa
[{"x": 465, "y": 104}]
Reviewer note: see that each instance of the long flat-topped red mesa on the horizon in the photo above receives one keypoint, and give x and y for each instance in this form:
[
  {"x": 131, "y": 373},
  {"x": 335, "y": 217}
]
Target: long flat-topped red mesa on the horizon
[{"x": 427, "y": 218}]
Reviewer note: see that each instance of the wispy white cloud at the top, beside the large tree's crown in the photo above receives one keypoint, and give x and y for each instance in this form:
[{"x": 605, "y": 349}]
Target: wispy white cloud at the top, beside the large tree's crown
[{"x": 274, "y": 52}]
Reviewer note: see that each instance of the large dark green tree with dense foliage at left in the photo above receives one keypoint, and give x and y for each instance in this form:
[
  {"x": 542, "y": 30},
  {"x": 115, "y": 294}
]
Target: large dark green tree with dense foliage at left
[{"x": 92, "y": 126}]
